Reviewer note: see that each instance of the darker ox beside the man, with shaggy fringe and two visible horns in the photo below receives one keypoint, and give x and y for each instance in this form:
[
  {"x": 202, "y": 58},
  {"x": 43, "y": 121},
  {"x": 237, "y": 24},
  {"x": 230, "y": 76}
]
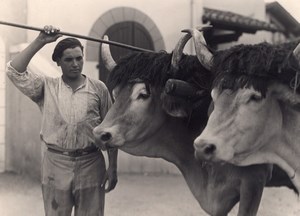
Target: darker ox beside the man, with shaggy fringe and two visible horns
[{"x": 145, "y": 121}]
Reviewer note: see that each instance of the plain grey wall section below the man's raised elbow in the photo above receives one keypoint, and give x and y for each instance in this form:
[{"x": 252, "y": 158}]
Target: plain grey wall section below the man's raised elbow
[{"x": 23, "y": 146}]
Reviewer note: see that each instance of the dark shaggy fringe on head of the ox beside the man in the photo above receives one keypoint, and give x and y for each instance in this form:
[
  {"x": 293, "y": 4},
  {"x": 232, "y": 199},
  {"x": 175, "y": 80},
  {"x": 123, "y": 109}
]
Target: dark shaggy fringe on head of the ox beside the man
[{"x": 154, "y": 69}]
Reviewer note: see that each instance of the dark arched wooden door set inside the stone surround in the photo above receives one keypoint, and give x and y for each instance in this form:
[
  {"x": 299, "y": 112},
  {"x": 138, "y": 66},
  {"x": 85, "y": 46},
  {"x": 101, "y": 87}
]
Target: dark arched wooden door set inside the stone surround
[{"x": 127, "y": 32}]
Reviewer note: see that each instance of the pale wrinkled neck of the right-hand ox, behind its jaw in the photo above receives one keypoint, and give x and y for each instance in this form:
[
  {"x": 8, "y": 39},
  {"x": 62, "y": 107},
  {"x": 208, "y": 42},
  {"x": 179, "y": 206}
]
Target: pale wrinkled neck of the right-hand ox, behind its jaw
[{"x": 283, "y": 148}]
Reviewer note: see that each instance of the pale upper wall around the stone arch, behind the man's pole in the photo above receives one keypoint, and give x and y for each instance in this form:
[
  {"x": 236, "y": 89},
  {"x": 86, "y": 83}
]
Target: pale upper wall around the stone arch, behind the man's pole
[{"x": 77, "y": 16}]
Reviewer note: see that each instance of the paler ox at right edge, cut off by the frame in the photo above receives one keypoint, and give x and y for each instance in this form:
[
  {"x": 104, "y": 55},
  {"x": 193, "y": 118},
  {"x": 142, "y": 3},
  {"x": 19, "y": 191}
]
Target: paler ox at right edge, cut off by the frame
[{"x": 256, "y": 108}]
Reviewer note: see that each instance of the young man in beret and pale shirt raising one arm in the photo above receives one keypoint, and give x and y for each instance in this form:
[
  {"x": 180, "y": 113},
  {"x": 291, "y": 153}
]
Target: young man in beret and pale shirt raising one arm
[{"x": 73, "y": 169}]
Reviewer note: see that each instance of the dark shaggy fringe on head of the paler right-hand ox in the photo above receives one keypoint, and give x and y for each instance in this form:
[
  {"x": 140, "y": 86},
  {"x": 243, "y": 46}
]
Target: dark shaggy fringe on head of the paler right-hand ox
[{"x": 255, "y": 66}]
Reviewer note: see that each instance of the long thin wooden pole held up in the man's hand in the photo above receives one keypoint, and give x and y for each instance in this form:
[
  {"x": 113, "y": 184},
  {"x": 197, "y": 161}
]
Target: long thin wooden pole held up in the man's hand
[{"x": 79, "y": 36}]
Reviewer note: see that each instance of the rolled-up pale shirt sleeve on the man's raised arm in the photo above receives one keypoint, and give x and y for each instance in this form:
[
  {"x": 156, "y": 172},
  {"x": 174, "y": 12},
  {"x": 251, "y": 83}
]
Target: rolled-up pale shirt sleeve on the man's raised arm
[{"x": 31, "y": 84}]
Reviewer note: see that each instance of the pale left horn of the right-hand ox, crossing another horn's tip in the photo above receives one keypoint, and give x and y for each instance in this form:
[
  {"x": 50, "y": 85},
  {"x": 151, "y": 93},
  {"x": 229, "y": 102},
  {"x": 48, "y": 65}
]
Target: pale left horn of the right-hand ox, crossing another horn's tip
[{"x": 202, "y": 52}]
